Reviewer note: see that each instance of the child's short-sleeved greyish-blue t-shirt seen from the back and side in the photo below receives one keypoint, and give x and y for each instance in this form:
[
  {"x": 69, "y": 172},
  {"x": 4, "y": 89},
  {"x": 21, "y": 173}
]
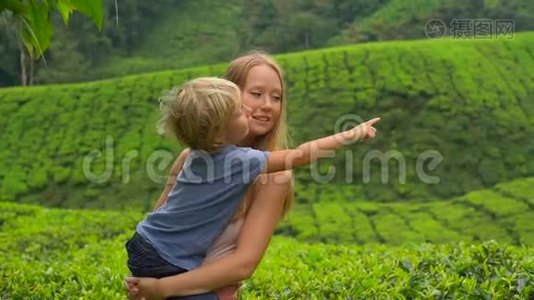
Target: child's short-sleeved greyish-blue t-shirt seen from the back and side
[{"x": 206, "y": 195}]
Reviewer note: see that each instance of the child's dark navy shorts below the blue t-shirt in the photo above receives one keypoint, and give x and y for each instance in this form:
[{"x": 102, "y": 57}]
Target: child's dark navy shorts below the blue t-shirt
[{"x": 144, "y": 261}]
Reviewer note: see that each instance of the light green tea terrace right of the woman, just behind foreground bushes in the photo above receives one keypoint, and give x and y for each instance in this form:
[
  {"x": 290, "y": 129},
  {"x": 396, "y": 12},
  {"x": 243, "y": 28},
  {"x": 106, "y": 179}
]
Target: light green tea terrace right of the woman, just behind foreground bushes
[{"x": 503, "y": 214}]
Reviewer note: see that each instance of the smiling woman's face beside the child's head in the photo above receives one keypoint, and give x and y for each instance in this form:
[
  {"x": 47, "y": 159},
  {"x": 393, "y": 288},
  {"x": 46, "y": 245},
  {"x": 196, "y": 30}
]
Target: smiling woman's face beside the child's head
[{"x": 263, "y": 95}]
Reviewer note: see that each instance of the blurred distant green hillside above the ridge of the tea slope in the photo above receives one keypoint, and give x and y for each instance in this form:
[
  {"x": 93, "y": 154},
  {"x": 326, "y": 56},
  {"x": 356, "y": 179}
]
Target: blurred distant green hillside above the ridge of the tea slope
[{"x": 140, "y": 36}]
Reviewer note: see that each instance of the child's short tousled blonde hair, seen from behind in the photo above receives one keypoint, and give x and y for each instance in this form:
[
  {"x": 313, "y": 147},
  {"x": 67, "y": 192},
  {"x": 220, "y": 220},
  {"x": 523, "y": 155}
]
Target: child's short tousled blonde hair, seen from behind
[{"x": 197, "y": 112}]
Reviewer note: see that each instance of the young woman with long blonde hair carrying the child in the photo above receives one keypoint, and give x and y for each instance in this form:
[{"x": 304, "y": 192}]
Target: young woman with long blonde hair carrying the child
[{"x": 239, "y": 249}]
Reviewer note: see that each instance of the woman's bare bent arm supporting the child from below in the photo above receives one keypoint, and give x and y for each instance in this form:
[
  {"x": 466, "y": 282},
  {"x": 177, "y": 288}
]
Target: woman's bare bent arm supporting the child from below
[{"x": 259, "y": 225}]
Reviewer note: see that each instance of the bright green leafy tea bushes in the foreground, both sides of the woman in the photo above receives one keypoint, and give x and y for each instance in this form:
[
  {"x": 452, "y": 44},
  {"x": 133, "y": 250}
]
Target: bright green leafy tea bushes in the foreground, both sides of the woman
[{"x": 59, "y": 254}]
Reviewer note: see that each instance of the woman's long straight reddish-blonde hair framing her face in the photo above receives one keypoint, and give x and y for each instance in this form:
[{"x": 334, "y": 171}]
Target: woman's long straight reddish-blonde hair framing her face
[{"x": 278, "y": 137}]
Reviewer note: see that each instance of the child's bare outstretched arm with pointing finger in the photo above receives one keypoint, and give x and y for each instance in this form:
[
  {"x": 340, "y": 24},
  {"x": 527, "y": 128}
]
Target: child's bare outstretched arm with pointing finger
[{"x": 313, "y": 150}]
